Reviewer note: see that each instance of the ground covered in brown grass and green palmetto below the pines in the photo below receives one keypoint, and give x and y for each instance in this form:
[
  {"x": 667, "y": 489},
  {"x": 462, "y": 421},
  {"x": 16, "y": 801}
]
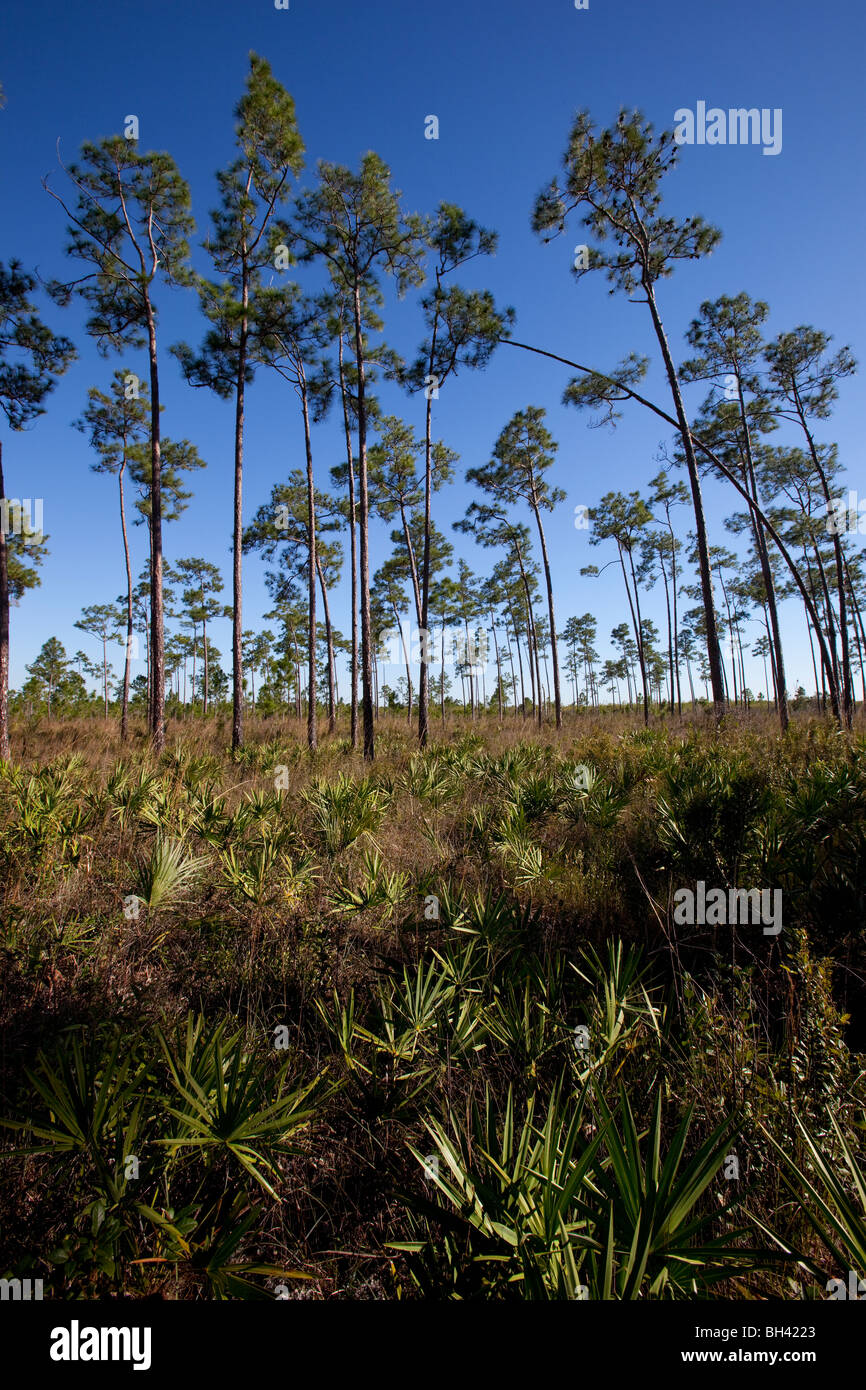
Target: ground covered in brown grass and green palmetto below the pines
[{"x": 291, "y": 1025}]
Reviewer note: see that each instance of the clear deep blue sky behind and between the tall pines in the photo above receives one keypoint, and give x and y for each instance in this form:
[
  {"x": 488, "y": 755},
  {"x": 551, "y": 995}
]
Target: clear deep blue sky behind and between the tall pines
[{"x": 505, "y": 81}]
